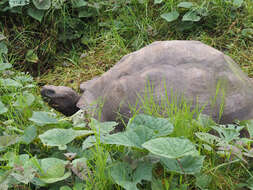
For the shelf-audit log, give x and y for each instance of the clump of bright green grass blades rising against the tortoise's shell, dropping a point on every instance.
(181, 113)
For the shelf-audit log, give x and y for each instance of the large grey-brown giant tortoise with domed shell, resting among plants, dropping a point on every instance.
(200, 74)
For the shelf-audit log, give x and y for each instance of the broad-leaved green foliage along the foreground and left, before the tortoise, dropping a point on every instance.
(132, 159)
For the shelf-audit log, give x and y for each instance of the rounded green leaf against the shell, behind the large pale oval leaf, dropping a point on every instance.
(160, 126)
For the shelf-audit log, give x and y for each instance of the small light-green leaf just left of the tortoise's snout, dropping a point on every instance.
(25, 100)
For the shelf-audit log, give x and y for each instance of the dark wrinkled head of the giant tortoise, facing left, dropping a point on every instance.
(61, 98)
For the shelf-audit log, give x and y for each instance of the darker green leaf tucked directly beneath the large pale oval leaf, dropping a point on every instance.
(186, 165)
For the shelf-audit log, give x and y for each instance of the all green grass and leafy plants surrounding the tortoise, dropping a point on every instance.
(67, 42)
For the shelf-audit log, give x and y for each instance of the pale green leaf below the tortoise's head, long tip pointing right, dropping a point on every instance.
(61, 137)
